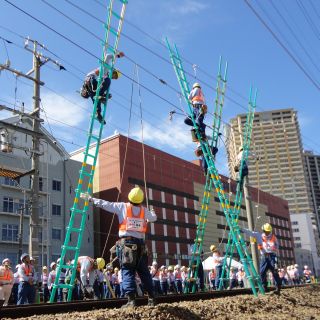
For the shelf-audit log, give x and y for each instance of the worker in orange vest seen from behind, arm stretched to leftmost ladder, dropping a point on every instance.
(133, 218)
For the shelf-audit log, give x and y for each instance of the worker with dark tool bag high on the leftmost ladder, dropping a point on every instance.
(90, 84)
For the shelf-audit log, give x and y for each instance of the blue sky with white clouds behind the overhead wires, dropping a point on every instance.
(202, 30)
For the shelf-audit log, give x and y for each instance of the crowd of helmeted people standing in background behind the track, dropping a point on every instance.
(21, 286)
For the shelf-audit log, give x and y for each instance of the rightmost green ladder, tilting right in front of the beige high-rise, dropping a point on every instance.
(239, 190)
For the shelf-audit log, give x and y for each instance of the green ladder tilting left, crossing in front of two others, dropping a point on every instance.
(245, 258)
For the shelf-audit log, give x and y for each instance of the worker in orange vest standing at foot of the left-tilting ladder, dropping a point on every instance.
(268, 246)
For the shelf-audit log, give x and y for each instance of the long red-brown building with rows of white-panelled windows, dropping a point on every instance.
(171, 184)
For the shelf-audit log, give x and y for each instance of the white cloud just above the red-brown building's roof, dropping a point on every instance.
(172, 135)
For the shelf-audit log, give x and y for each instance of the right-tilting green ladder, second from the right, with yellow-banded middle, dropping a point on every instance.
(191, 285)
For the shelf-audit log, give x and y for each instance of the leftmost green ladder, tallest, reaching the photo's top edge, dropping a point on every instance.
(79, 210)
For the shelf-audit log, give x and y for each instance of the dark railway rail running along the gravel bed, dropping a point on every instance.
(23, 311)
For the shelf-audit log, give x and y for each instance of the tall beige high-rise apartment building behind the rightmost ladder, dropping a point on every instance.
(276, 142)
